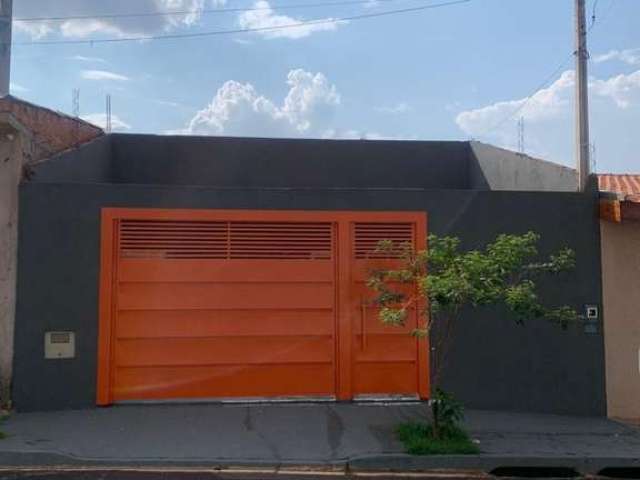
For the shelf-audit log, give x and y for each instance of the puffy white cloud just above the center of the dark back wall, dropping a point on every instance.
(238, 109)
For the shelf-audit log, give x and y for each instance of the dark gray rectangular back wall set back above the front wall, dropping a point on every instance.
(256, 162)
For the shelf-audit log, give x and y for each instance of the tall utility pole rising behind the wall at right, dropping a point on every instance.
(582, 97)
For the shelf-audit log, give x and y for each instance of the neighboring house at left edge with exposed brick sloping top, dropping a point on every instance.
(29, 134)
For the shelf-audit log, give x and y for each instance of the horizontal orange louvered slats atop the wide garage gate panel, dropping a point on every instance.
(225, 240)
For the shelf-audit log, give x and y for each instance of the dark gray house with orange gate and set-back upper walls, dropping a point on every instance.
(178, 267)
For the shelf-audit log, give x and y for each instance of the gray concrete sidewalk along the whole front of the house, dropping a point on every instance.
(360, 436)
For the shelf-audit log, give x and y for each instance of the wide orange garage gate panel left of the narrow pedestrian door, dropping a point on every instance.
(208, 308)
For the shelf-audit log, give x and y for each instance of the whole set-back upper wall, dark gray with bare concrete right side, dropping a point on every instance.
(294, 163)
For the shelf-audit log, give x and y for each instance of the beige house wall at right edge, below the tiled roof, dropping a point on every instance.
(621, 297)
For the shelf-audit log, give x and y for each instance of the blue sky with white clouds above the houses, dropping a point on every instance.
(467, 70)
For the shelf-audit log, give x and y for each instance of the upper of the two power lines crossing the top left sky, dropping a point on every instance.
(202, 11)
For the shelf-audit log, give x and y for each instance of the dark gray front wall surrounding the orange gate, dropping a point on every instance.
(494, 363)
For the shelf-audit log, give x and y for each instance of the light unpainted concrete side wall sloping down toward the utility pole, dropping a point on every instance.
(495, 168)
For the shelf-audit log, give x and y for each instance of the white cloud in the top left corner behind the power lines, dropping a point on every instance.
(117, 26)
